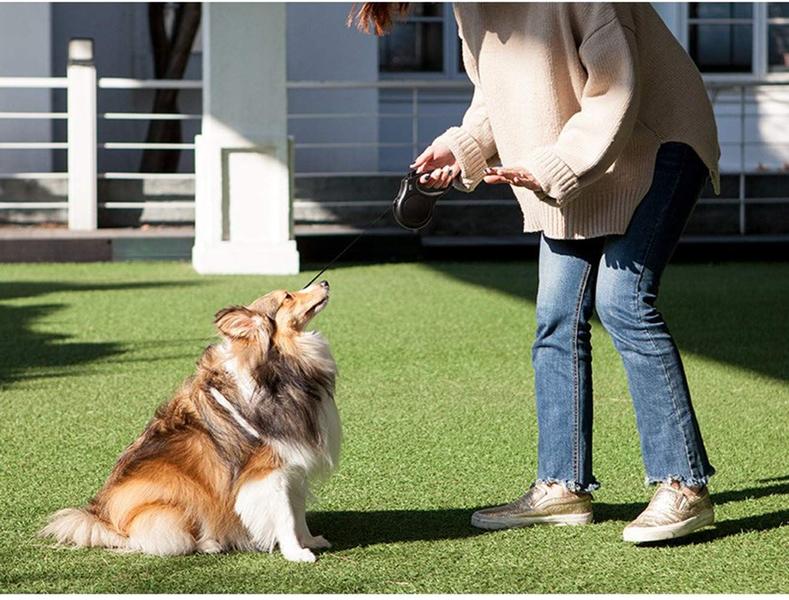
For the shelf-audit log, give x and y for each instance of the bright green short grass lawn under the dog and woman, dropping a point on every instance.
(436, 397)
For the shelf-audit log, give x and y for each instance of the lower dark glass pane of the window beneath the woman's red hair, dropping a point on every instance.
(412, 47)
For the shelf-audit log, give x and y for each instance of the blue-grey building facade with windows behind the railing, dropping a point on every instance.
(361, 106)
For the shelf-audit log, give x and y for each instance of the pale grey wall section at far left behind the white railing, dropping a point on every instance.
(24, 35)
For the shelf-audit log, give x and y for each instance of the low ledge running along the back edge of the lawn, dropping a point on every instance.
(320, 244)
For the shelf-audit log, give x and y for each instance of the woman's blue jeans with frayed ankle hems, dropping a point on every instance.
(618, 277)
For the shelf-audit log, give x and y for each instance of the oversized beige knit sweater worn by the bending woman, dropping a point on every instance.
(581, 95)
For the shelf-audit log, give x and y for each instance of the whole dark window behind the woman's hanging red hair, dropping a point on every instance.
(415, 44)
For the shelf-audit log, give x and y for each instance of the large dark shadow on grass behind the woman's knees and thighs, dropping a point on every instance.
(745, 331)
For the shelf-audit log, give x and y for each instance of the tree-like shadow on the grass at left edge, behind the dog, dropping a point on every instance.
(25, 351)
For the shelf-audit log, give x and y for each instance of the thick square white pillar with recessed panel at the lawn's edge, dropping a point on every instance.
(242, 205)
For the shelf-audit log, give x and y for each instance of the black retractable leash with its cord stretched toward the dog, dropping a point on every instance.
(412, 209)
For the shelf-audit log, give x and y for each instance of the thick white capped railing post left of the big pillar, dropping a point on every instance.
(82, 184)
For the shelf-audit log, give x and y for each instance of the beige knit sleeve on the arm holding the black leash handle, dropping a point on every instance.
(472, 143)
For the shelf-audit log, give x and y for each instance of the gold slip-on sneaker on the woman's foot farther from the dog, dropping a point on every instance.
(670, 514)
